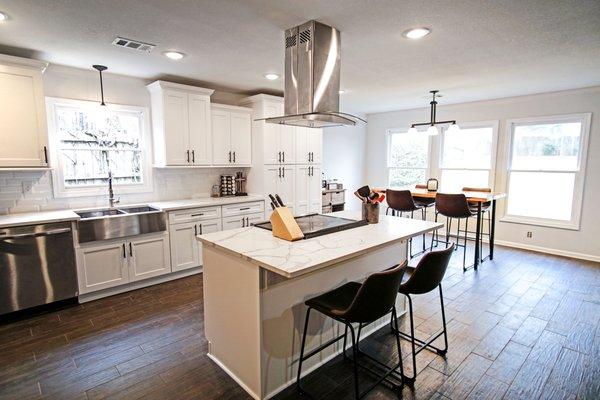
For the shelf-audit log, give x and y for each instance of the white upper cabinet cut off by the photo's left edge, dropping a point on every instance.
(23, 141)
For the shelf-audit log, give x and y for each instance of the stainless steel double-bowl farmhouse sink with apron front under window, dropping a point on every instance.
(120, 222)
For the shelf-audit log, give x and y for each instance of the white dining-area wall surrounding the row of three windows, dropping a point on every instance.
(584, 243)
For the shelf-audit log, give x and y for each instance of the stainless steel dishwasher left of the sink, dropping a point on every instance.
(37, 265)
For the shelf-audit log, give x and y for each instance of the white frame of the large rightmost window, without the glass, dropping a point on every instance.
(580, 172)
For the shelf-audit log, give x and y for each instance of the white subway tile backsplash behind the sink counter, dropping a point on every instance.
(27, 191)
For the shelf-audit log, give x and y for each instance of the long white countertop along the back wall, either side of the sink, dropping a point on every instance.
(42, 217)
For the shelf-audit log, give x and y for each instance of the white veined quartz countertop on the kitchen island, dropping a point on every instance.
(292, 259)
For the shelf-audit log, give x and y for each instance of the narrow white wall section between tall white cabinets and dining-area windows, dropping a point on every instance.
(344, 158)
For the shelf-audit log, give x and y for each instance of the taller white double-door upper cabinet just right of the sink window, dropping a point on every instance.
(181, 124)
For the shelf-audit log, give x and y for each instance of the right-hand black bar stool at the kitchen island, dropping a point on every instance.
(424, 278)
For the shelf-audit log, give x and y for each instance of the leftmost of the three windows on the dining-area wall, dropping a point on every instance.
(408, 156)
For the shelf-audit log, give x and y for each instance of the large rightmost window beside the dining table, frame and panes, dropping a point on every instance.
(546, 170)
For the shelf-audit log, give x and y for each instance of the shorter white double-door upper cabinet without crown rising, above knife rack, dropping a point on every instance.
(231, 135)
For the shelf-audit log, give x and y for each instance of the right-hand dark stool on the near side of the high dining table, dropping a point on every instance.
(454, 206)
